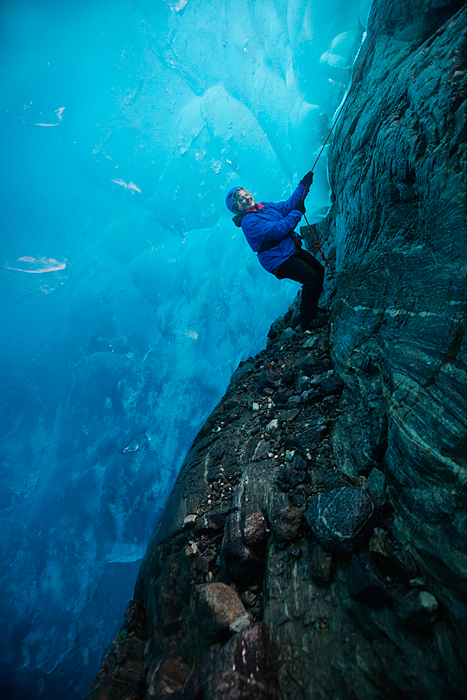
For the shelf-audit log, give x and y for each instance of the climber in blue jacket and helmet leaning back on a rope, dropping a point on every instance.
(269, 230)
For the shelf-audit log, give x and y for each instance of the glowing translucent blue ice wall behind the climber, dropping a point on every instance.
(128, 295)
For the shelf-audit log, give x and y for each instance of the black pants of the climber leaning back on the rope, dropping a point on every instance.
(304, 268)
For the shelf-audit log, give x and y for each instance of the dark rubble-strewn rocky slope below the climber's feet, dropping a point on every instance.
(273, 574)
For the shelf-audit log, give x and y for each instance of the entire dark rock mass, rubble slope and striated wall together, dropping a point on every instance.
(313, 546)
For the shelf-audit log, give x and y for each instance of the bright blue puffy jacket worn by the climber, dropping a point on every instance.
(274, 221)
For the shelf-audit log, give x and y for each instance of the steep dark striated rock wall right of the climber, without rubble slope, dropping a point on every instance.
(398, 171)
